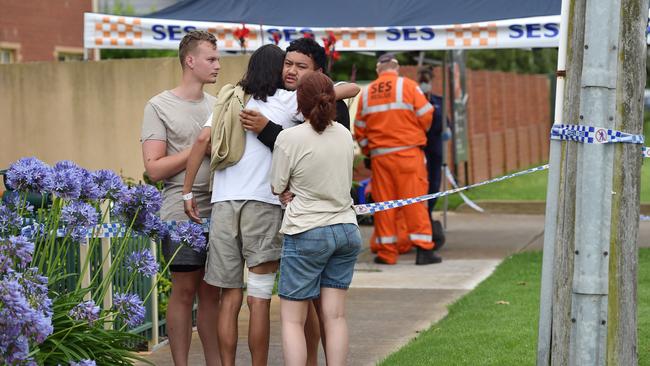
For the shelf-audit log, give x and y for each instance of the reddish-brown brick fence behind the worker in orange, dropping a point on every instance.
(508, 121)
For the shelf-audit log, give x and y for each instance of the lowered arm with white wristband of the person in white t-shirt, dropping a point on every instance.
(193, 164)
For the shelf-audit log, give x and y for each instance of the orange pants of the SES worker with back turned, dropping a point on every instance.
(397, 175)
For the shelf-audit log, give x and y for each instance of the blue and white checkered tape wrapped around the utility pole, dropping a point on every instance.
(592, 135)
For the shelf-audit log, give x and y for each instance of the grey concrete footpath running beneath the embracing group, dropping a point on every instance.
(389, 305)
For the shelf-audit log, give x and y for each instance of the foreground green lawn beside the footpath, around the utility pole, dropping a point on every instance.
(496, 324)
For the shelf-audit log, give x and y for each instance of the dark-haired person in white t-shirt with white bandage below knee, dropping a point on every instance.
(246, 216)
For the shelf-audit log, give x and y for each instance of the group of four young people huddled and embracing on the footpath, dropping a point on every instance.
(269, 161)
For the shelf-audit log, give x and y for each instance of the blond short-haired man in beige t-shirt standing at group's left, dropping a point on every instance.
(172, 121)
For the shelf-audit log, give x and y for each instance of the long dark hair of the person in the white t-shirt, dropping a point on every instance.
(264, 74)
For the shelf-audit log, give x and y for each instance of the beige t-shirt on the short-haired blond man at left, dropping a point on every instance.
(179, 122)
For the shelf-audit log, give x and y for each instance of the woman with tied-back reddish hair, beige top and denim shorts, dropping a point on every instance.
(321, 237)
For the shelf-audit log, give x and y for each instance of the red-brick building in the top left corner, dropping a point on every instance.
(39, 26)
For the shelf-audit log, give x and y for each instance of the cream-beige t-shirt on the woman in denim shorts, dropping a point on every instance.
(317, 168)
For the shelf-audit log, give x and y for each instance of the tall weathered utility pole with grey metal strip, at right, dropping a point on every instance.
(591, 316)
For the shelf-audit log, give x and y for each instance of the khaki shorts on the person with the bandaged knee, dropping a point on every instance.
(241, 231)
